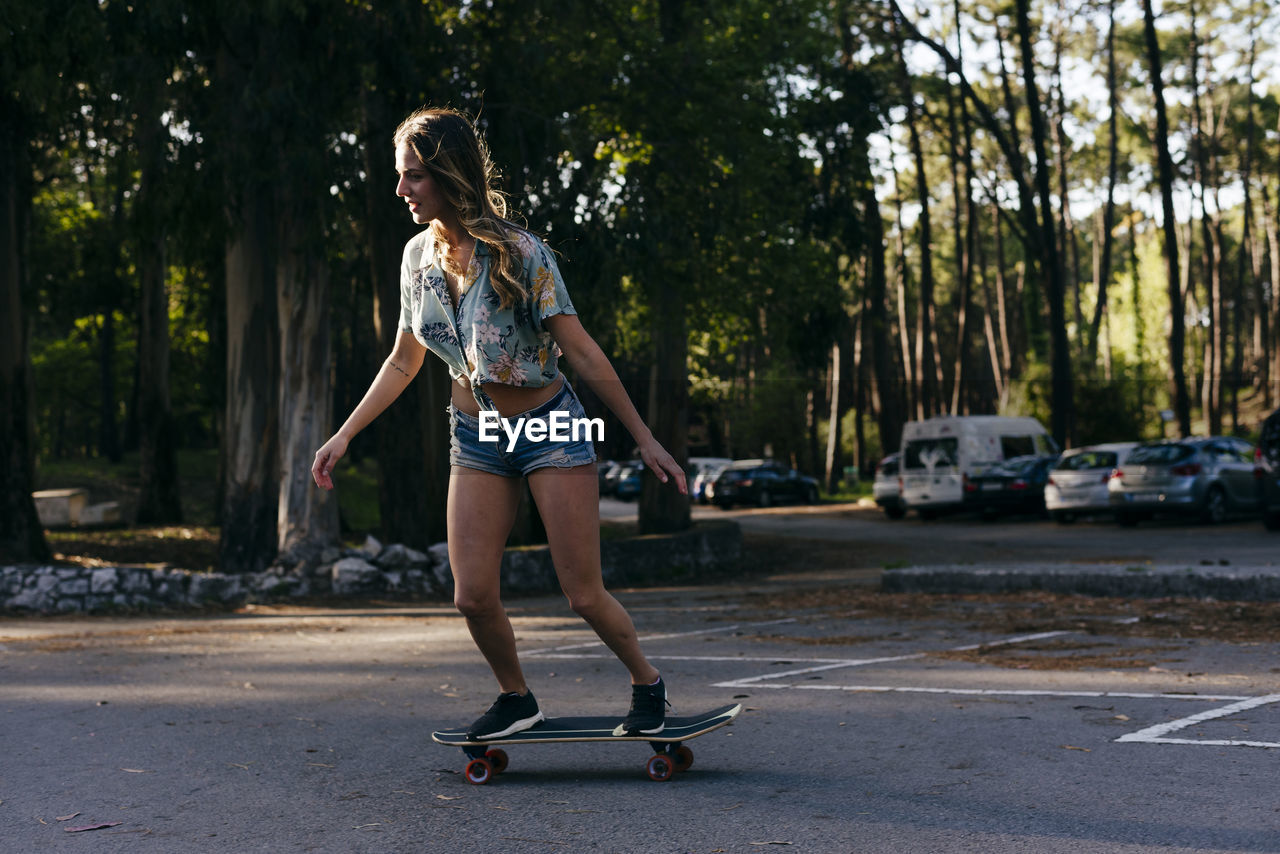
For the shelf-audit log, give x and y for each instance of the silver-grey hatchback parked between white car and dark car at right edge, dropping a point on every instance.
(1210, 478)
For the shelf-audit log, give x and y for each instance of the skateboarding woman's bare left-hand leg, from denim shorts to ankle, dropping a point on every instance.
(481, 514)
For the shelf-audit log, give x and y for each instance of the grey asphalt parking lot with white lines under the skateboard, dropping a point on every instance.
(874, 723)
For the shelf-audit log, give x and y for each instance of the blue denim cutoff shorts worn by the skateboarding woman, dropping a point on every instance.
(560, 450)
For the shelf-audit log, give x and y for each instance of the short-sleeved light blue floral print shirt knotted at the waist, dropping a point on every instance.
(483, 341)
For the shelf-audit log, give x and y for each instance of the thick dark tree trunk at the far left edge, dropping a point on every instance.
(22, 540)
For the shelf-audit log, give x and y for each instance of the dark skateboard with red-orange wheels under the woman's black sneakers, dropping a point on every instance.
(486, 760)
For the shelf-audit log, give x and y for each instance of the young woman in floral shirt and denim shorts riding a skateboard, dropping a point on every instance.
(486, 296)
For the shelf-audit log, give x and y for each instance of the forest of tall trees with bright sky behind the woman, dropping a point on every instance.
(793, 226)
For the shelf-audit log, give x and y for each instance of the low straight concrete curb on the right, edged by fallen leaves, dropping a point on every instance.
(1226, 583)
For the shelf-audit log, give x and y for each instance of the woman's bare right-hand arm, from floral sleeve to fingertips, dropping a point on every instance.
(591, 363)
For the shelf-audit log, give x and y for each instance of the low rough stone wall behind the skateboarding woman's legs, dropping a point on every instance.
(394, 572)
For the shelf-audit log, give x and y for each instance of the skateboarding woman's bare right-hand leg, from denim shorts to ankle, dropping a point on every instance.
(569, 503)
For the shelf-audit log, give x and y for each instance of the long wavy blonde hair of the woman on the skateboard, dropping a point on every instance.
(451, 149)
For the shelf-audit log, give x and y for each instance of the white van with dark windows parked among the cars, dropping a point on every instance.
(941, 454)
